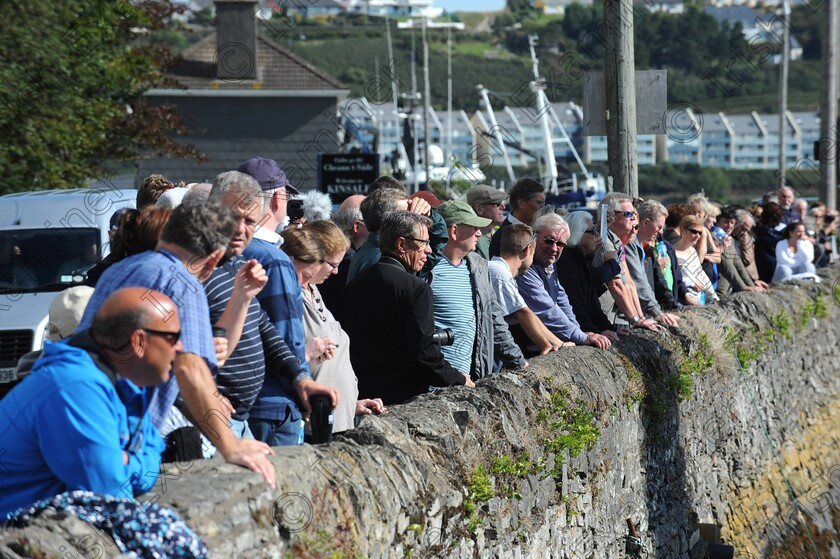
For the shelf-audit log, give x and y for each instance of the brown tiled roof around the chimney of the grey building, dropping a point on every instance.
(277, 68)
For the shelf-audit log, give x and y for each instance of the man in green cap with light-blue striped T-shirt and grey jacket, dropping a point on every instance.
(464, 300)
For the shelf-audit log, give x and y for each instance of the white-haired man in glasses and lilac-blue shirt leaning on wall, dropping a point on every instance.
(541, 289)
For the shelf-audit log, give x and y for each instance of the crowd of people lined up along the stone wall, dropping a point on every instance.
(216, 318)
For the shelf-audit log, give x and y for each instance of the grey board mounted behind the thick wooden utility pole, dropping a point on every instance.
(651, 103)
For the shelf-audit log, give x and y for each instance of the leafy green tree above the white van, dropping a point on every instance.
(71, 85)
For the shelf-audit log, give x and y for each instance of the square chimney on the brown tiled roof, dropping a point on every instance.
(236, 40)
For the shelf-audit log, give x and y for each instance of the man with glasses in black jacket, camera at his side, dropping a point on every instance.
(388, 314)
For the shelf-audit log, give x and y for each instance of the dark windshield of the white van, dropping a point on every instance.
(46, 259)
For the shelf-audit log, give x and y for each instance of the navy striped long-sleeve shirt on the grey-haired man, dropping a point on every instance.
(260, 347)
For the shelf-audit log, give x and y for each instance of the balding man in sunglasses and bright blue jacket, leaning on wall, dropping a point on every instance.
(78, 421)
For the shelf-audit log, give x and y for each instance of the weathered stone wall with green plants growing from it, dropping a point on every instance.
(683, 438)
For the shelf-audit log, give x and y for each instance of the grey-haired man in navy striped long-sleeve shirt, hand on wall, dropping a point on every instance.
(231, 290)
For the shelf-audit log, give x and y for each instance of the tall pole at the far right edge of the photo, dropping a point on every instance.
(828, 112)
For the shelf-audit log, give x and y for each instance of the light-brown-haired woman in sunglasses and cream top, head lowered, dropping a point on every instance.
(317, 249)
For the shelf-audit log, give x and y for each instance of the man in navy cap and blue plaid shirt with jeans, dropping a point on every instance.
(275, 417)
